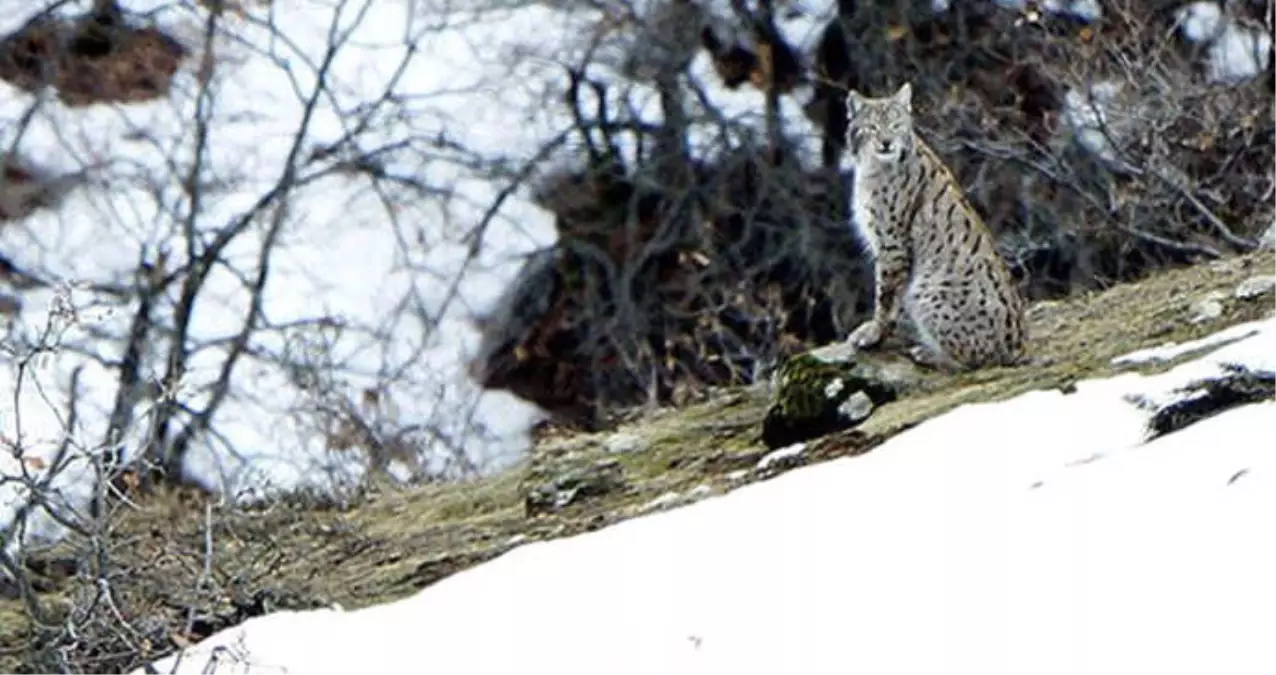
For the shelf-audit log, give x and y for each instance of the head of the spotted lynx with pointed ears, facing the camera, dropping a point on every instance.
(880, 131)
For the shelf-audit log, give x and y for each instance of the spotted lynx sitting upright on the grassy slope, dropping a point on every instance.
(935, 258)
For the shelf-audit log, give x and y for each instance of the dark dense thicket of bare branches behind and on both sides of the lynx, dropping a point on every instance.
(1097, 151)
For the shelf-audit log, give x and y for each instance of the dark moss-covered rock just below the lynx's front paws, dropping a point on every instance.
(831, 390)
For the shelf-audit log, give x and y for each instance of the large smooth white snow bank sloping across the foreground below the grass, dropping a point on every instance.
(1037, 535)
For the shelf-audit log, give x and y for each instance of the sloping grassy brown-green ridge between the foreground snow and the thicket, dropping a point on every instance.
(302, 554)
